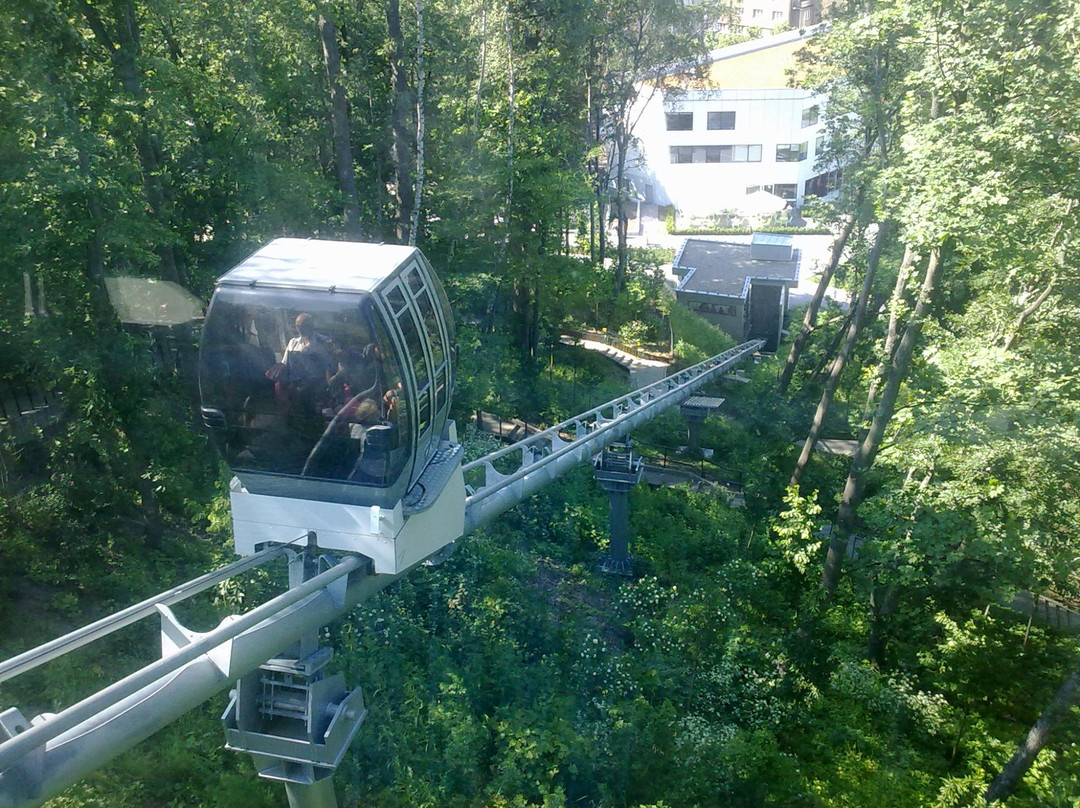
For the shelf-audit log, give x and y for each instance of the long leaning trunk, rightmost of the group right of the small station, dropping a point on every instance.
(869, 449)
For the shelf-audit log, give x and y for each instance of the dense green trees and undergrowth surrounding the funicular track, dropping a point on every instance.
(847, 641)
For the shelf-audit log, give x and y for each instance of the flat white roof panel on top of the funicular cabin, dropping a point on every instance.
(309, 264)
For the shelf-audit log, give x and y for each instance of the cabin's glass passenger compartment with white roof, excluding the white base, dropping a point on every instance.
(327, 370)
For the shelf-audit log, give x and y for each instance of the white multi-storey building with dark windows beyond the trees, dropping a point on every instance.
(705, 146)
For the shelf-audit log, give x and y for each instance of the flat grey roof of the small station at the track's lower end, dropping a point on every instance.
(726, 268)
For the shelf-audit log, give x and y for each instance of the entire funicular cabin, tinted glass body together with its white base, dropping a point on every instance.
(327, 371)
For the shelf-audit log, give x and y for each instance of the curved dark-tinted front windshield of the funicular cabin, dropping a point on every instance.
(305, 385)
